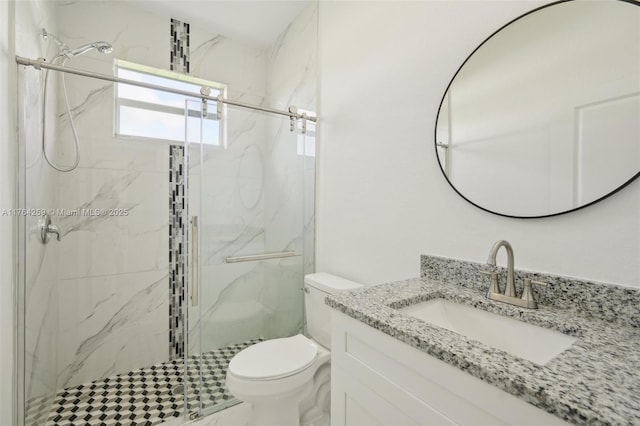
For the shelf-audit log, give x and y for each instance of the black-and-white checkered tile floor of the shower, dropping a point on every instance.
(147, 396)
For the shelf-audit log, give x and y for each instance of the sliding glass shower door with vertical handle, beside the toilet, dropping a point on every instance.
(247, 190)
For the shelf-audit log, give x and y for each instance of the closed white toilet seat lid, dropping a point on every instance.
(275, 358)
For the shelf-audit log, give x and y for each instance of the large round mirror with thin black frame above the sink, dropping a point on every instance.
(543, 118)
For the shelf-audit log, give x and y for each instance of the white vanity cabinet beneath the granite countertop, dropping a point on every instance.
(379, 380)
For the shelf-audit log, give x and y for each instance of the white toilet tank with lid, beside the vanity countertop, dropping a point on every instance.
(318, 314)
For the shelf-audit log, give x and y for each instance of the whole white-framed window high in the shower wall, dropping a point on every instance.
(157, 115)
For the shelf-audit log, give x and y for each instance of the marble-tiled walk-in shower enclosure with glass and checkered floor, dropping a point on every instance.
(172, 255)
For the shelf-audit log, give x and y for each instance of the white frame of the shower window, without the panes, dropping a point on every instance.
(157, 72)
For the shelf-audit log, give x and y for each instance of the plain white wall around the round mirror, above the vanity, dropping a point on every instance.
(382, 200)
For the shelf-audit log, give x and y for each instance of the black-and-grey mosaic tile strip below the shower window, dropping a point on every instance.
(177, 252)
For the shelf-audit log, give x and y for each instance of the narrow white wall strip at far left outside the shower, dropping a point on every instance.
(7, 160)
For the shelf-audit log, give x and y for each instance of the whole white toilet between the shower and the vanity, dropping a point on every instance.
(286, 380)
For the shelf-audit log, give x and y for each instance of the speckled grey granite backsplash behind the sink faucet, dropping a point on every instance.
(605, 301)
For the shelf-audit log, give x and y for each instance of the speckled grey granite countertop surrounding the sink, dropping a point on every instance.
(595, 381)
